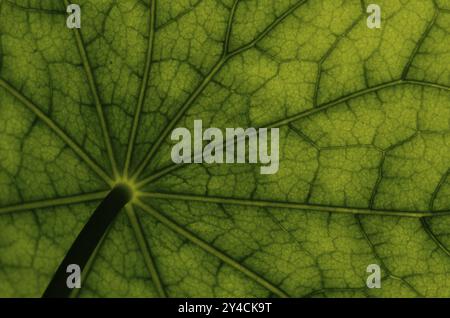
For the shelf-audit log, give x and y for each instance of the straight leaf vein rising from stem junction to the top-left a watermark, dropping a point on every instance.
(94, 91)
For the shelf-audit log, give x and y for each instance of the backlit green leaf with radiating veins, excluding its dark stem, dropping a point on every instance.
(364, 146)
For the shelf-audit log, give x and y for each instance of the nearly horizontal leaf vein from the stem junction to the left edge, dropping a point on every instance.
(69, 200)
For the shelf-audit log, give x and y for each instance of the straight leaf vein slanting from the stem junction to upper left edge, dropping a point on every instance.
(57, 130)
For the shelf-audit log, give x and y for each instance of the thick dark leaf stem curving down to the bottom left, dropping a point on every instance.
(88, 239)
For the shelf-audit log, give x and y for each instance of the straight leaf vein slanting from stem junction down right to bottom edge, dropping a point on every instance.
(212, 250)
